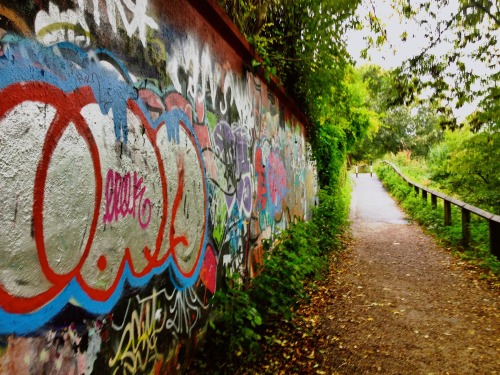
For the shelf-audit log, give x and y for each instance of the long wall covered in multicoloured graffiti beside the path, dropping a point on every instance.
(140, 161)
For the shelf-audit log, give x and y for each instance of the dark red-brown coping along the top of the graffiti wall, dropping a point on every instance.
(220, 21)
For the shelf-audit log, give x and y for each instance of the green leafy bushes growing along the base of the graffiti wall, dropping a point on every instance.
(243, 312)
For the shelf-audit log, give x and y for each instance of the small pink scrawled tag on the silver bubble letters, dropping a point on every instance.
(123, 197)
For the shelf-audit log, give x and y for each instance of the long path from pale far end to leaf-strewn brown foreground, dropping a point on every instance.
(402, 305)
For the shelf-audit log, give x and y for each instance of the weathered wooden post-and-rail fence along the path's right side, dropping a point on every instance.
(467, 209)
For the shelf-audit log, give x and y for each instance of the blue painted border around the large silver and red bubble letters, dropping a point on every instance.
(17, 65)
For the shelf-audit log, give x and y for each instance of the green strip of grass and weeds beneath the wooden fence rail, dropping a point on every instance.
(433, 219)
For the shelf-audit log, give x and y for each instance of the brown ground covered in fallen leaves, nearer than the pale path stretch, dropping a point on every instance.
(404, 309)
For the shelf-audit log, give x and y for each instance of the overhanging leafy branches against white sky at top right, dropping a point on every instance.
(460, 63)
